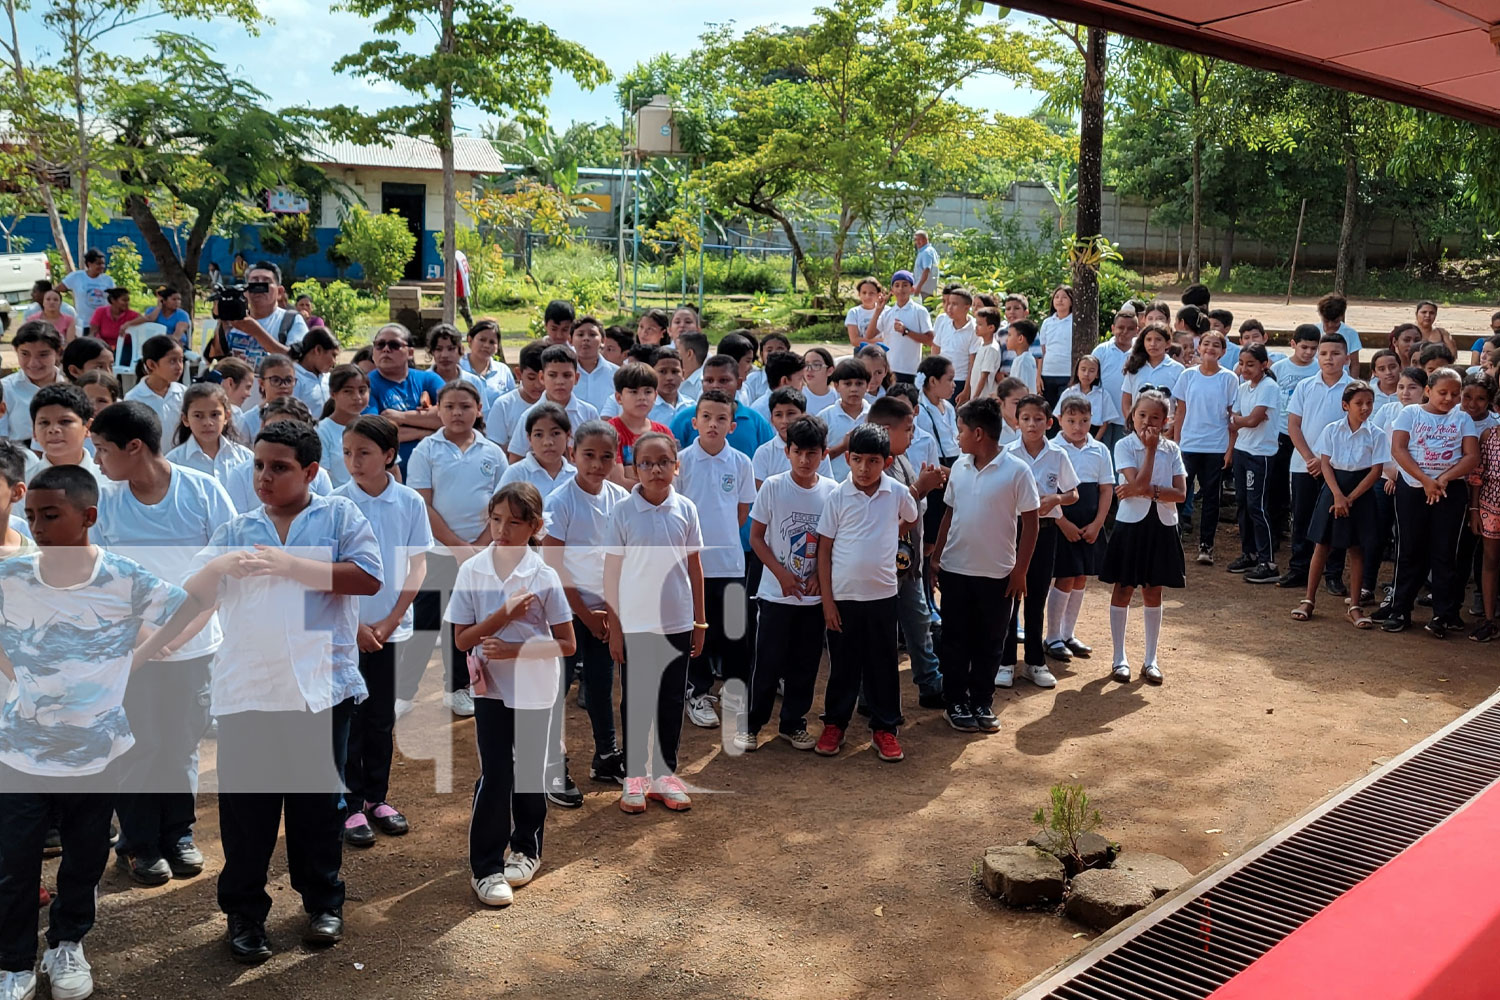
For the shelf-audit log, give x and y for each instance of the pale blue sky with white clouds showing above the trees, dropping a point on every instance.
(290, 61)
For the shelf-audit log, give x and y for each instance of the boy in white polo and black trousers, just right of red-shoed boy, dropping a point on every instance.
(982, 557)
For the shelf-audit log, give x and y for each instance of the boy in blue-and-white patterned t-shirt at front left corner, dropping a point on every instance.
(70, 618)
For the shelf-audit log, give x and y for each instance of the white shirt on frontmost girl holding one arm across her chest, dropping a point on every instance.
(526, 681)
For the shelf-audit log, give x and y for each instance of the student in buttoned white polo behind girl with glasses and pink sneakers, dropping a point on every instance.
(721, 482)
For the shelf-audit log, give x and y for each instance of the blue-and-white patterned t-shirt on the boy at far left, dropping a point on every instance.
(71, 650)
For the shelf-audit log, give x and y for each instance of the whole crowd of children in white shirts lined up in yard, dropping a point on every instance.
(629, 501)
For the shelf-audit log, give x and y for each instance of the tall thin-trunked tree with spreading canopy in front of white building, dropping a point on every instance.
(479, 53)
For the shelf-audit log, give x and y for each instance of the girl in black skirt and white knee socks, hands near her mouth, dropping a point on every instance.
(1145, 549)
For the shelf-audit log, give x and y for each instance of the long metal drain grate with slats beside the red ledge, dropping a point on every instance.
(1205, 936)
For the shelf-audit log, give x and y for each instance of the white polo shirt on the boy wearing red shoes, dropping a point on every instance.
(865, 531)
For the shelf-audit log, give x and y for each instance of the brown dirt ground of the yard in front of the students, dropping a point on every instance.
(802, 876)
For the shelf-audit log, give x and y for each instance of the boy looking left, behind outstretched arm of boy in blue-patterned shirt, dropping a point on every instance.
(160, 515)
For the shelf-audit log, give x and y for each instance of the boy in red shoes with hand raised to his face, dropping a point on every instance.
(857, 548)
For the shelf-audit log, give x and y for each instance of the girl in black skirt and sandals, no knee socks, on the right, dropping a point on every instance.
(1346, 516)
